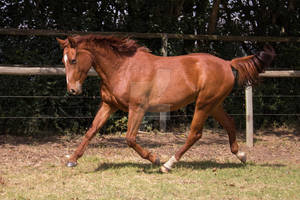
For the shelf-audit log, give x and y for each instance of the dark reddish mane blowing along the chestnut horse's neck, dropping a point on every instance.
(121, 46)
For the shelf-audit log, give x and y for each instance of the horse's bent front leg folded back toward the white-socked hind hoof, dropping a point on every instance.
(135, 117)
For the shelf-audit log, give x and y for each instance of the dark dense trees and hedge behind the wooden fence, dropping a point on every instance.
(46, 112)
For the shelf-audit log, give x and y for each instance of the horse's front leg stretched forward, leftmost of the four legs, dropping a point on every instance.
(101, 117)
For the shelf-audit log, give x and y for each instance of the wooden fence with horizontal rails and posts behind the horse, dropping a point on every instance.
(47, 70)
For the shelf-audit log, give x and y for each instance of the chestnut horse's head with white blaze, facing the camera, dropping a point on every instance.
(77, 64)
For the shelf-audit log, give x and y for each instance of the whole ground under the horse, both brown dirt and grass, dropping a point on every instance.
(34, 169)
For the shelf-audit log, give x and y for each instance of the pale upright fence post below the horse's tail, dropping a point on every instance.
(249, 116)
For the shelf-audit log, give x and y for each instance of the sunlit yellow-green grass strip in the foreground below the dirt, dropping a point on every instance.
(100, 178)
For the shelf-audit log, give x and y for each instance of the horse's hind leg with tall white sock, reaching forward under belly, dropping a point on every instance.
(195, 134)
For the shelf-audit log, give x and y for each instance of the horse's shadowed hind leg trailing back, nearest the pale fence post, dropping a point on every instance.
(227, 122)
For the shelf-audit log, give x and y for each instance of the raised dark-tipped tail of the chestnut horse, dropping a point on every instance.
(249, 67)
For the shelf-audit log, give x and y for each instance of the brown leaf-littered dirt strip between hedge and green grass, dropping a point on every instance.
(270, 147)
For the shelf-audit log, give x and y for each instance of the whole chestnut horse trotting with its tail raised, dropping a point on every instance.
(136, 81)
